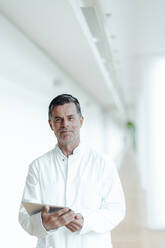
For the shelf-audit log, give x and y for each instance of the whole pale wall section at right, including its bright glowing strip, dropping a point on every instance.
(151, 139)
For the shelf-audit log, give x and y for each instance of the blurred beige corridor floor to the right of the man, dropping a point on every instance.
(131, 233)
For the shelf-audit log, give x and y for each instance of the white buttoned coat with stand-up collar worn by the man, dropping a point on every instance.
(86, 182)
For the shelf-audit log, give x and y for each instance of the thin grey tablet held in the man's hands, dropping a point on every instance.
(34, 208)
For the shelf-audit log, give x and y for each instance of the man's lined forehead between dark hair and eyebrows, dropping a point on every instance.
(65, 109)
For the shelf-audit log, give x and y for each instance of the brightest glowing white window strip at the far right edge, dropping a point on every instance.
(156, 201)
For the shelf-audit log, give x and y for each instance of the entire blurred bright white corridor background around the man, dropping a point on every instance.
(111, 56)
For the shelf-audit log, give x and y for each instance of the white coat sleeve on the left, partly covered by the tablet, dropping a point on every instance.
(32, 224)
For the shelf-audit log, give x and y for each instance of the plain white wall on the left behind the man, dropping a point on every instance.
(27, 86)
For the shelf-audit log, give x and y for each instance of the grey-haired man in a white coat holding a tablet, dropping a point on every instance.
(74, 176)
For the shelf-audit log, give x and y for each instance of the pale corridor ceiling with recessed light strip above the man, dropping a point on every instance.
(98, 43)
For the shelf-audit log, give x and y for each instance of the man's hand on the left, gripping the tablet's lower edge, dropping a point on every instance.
(57, 219)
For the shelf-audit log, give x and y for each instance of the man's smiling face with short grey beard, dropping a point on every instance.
(66, 123)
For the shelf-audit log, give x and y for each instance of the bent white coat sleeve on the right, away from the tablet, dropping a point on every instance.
(112, 209)
